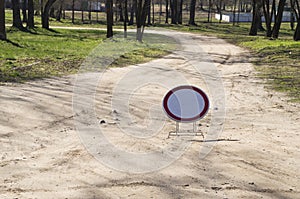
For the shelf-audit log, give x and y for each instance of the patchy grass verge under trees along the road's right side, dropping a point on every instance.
(278, 61)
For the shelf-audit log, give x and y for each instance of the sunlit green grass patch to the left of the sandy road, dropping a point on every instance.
(43, 53)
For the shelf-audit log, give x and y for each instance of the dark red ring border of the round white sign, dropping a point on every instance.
(193, 119)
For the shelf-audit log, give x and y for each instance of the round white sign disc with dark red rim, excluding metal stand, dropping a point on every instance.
(186, 103)
